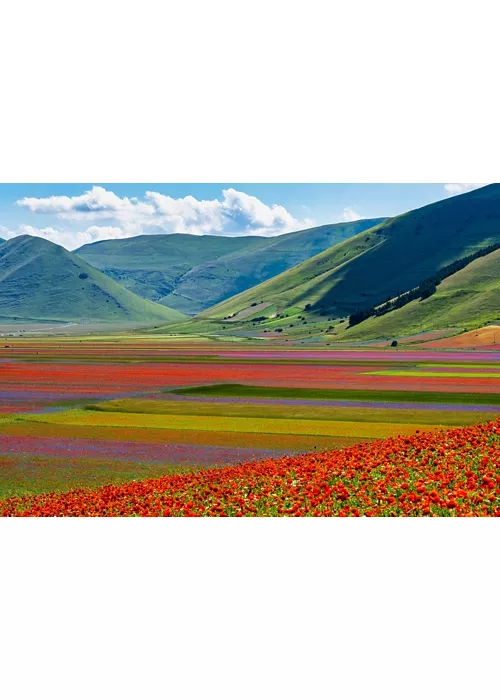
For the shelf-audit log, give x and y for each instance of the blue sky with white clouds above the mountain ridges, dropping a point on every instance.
(74, 214)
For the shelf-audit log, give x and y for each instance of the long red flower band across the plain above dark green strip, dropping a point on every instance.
(116, 379)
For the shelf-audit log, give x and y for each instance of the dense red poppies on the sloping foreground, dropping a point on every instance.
(452, 473)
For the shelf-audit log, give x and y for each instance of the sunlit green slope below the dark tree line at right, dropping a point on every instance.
(468, 299)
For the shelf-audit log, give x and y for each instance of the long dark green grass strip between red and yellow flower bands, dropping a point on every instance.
(341, 394)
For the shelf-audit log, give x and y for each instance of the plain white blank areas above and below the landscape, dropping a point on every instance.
(248, 92)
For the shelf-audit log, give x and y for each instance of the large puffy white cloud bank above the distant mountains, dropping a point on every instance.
(236, 213)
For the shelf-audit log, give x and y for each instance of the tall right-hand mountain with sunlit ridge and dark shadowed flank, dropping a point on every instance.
(379, 263)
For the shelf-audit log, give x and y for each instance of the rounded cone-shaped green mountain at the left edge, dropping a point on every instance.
(40, 280)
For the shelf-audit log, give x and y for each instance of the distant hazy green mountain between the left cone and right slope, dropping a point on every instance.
(192, 273)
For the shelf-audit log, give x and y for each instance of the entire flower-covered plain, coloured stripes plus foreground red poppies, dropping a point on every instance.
(143, 427)
